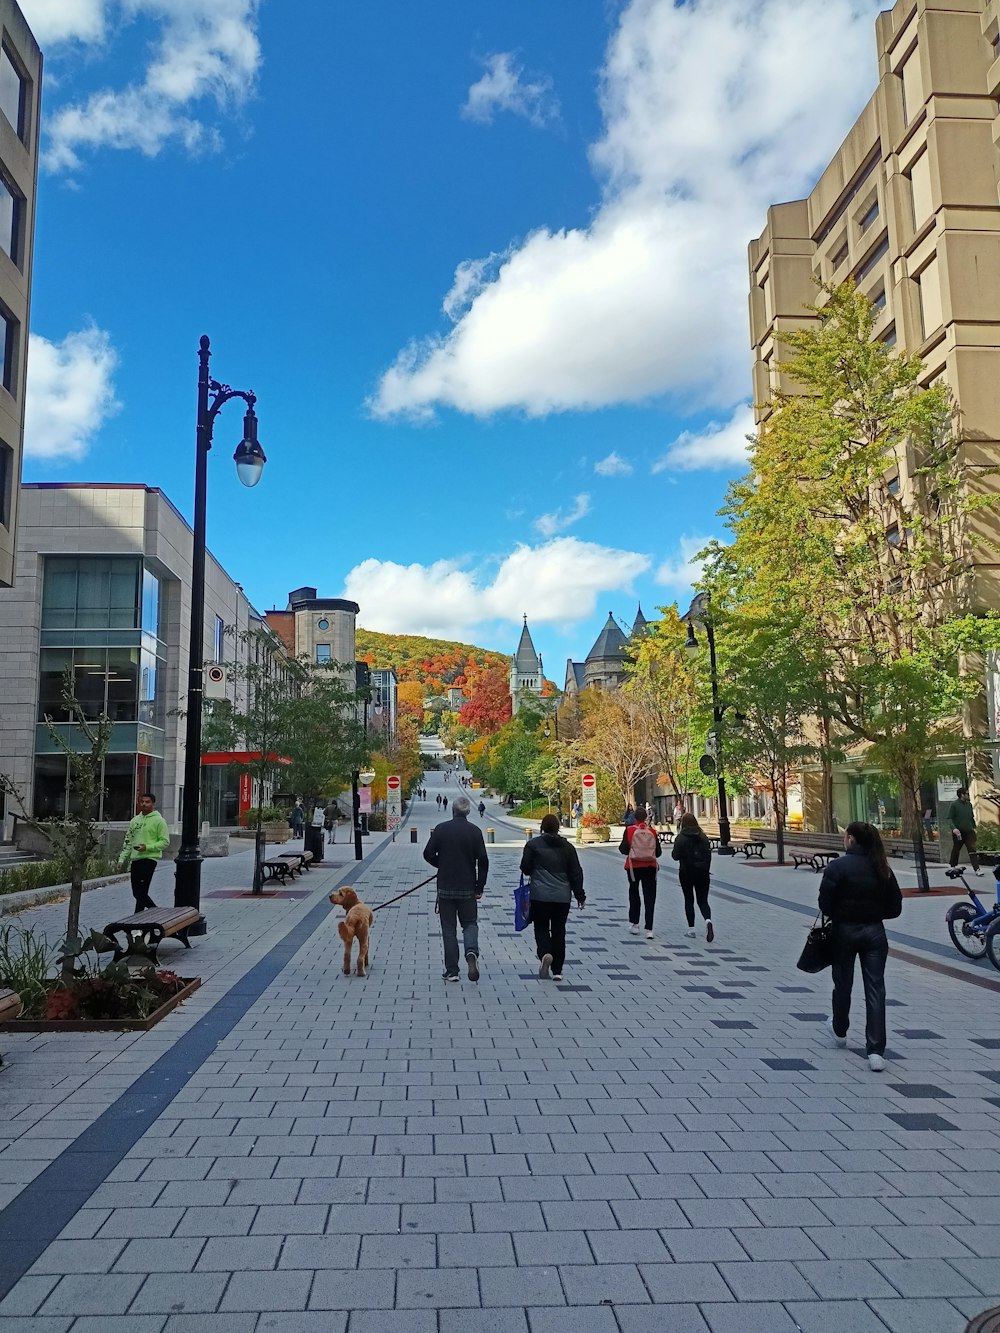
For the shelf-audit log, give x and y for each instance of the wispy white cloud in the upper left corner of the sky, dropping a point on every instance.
(207, 54)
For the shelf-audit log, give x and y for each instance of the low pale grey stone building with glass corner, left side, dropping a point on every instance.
(103, 590)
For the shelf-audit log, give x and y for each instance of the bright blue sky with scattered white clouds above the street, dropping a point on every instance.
(485, 267)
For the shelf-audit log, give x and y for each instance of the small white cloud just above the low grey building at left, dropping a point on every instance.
(71, 394)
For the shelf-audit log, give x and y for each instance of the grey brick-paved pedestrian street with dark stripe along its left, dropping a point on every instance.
(662, 1143)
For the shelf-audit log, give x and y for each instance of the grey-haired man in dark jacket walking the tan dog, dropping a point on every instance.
(459, 854)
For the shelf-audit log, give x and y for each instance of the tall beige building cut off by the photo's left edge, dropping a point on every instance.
(21, 99)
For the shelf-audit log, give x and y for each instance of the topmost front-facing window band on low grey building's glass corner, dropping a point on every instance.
(91, 593)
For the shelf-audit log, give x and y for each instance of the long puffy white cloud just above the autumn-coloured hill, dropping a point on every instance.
(555, 583)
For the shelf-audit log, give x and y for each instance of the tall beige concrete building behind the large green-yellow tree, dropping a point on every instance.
(909, 209)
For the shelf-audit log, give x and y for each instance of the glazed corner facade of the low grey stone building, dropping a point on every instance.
(101, 625)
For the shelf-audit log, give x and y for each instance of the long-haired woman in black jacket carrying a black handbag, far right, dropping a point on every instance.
(858, 894)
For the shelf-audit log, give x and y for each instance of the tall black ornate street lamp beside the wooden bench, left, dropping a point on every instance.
(250, 461)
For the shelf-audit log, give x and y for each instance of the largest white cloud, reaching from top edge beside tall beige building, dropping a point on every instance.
(711, 114)
